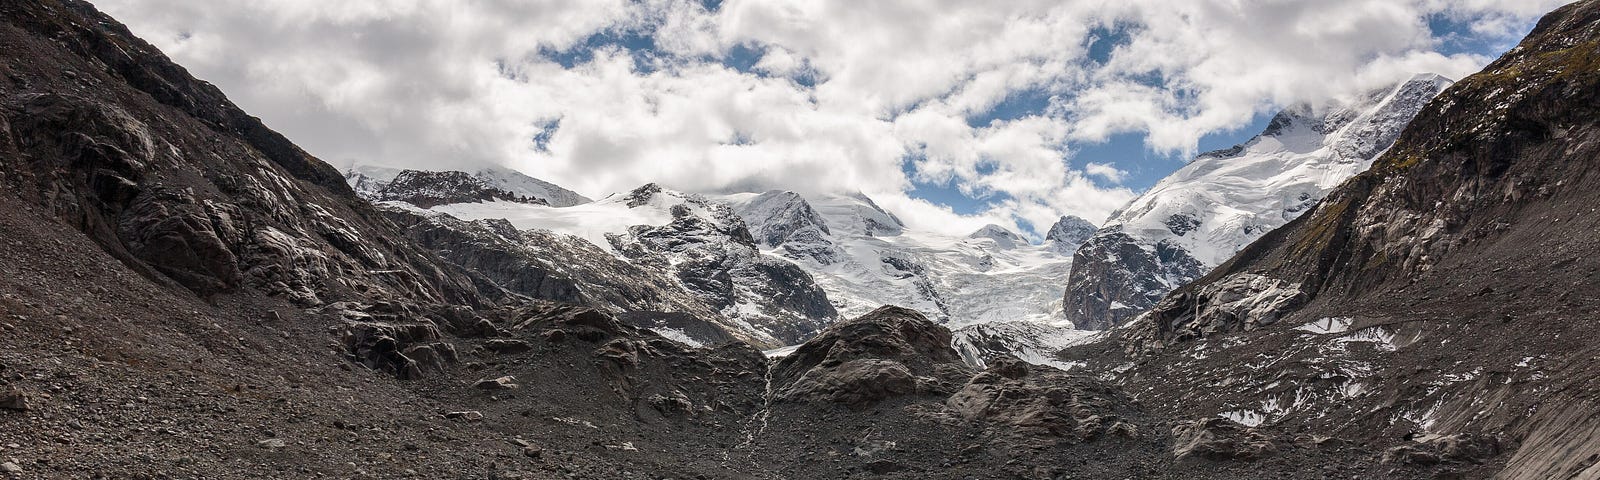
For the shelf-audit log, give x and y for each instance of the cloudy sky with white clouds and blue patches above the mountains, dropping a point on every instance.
(953, 114)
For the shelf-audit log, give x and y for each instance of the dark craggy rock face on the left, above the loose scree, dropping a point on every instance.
(175, 182)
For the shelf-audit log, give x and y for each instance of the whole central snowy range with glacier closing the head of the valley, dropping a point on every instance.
(770, 268)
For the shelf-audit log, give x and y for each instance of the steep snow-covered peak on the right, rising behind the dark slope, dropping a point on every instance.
(1209, 210)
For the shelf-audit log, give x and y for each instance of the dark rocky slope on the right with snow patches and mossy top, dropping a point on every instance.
(1439, 306)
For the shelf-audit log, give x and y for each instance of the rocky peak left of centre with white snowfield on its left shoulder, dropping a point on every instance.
(703, 246)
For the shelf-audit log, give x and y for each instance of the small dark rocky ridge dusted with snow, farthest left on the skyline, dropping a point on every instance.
(439, 188)
